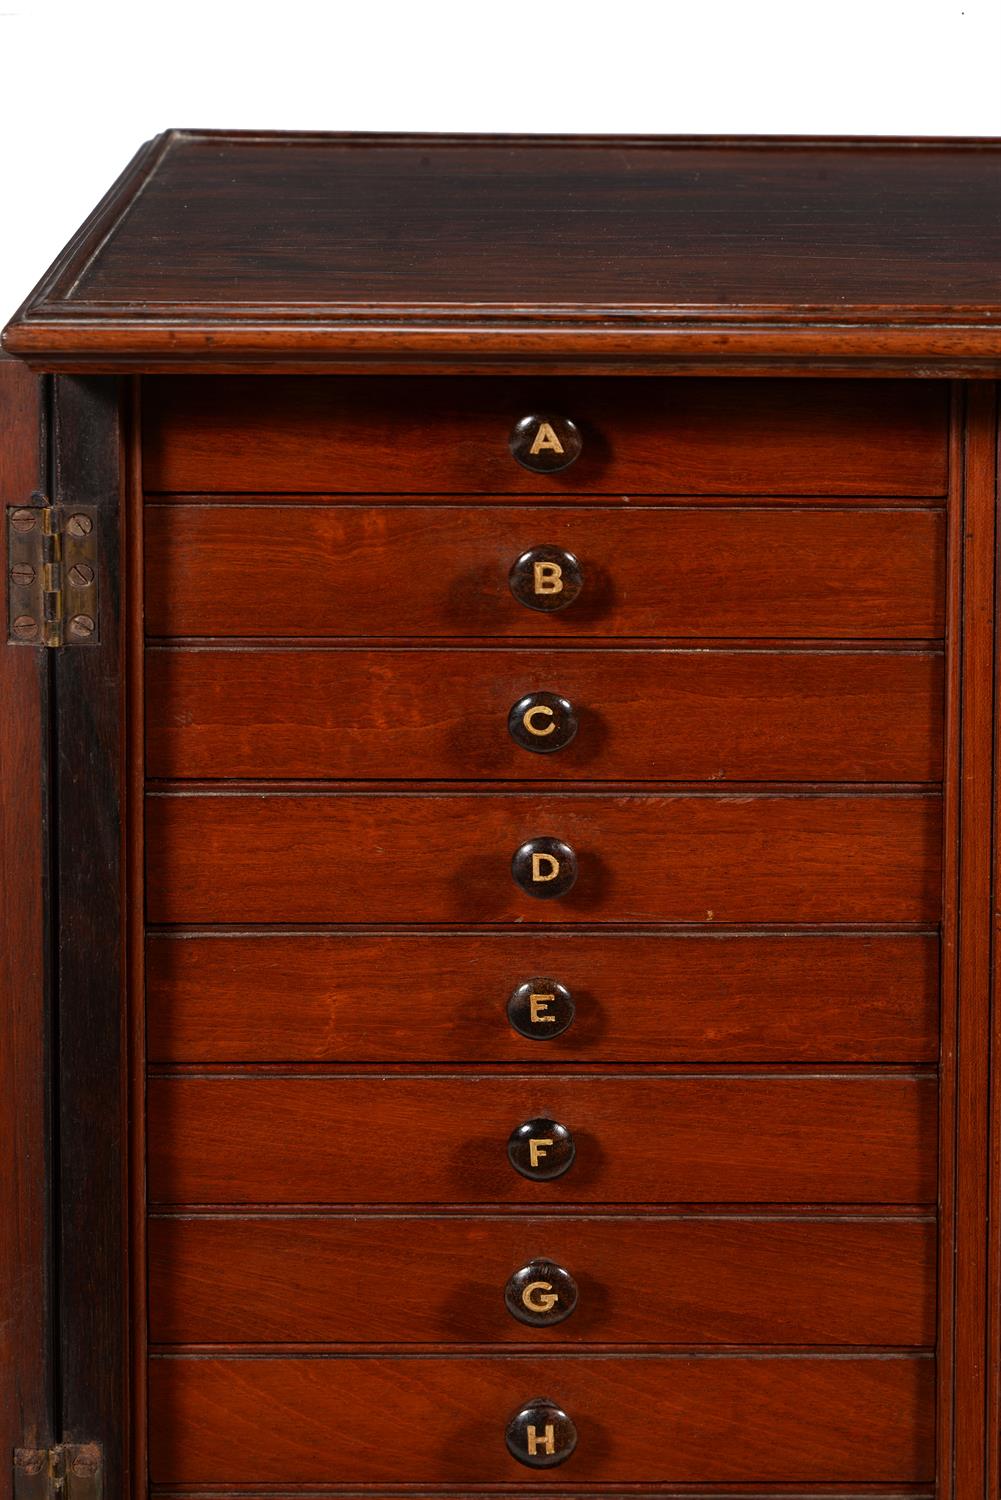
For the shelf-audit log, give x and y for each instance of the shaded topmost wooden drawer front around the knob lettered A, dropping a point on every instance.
(648, 437)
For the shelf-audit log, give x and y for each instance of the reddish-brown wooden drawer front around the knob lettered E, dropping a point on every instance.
(646, 998)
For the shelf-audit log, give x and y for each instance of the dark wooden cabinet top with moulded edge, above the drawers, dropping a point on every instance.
(247, 251)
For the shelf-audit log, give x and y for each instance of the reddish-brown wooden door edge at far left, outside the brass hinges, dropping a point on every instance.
(26, 1310)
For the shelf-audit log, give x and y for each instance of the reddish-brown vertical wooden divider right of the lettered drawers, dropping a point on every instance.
(967, 953)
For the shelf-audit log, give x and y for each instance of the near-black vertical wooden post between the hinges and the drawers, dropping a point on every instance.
(89, 791)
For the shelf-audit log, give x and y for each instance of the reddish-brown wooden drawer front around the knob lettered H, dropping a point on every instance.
(427, 1421)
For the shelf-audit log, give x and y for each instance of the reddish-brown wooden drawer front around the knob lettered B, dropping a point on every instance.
(443, 572)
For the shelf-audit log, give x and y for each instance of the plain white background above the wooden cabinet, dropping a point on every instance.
(83, 85)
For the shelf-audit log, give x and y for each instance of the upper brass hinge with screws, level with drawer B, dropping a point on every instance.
(52, 574)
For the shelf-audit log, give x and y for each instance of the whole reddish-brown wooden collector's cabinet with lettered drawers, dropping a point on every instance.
(500, 824)
